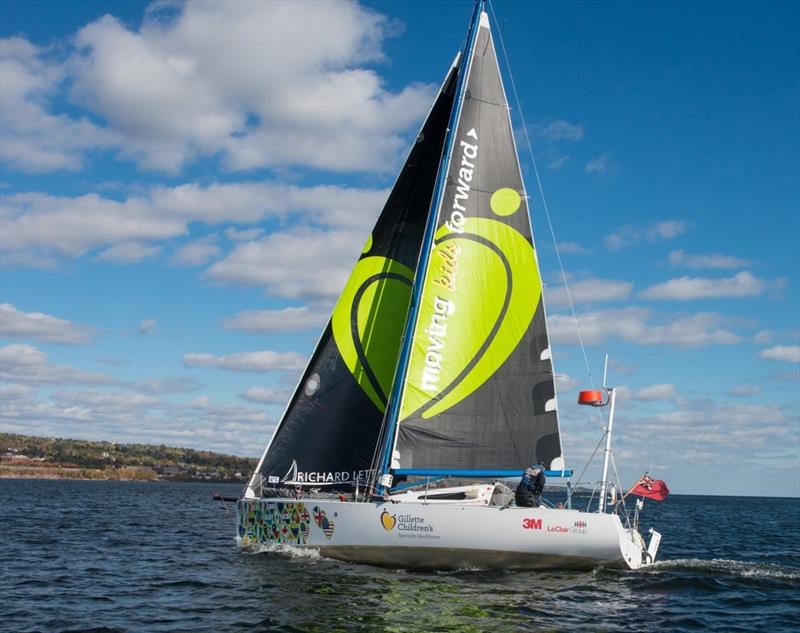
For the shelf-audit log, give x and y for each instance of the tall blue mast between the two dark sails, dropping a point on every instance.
(436, 201)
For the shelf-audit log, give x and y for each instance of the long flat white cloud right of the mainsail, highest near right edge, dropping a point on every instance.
(742, 284)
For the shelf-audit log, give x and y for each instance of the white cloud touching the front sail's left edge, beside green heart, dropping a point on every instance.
(273, 262)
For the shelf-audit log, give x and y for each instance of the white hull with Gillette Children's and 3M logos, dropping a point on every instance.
(442, 536)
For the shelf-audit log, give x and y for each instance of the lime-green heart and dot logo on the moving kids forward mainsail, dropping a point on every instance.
(481, 291)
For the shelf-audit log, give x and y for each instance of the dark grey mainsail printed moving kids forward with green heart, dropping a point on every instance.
(478, 393)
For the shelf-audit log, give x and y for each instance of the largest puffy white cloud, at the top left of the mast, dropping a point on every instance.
(299, 92)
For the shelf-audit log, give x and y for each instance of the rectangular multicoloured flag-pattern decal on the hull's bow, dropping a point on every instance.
(270, 522)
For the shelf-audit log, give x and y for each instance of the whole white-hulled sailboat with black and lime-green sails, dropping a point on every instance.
(436, 365)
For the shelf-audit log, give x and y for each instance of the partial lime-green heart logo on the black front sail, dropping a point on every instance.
(368, 323)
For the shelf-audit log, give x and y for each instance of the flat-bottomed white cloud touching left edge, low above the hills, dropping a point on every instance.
(26, 364)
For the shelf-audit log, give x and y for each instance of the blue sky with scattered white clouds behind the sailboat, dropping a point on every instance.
(185, 188)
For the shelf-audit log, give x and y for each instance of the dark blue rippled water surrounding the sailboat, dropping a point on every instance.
(124, 556)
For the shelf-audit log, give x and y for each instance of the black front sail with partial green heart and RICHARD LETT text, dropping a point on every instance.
(330, 429)
